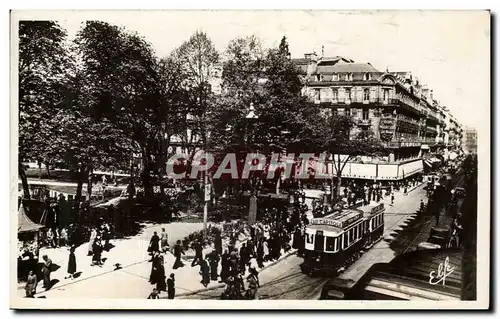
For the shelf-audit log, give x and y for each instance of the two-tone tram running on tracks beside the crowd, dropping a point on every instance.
(335, 241)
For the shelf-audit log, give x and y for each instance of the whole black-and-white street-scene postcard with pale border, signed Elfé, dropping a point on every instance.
(250, 159)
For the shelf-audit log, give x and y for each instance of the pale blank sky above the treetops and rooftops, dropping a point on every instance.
(447, 50)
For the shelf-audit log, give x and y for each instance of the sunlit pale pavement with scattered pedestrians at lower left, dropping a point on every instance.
(131, 281)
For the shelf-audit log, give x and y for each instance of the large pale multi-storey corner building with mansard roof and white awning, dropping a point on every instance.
(400, 112)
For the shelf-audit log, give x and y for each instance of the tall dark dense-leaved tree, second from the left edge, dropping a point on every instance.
(123, 85)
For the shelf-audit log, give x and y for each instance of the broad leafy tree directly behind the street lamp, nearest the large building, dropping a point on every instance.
(269, 81)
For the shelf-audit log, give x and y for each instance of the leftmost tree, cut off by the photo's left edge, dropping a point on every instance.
(43, 65)
